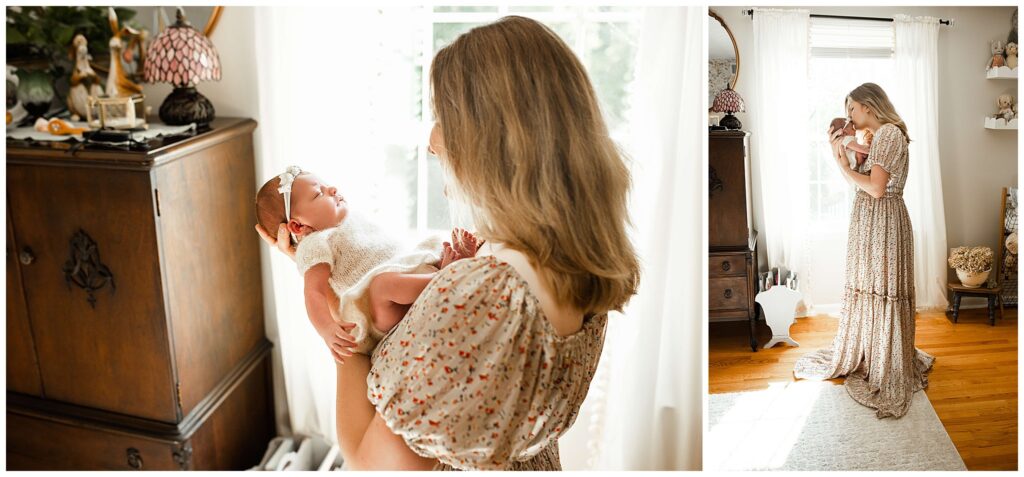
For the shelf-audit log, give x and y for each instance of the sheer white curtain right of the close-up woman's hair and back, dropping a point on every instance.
(644, 410)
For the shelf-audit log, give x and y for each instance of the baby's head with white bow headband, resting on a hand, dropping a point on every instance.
(314, 205)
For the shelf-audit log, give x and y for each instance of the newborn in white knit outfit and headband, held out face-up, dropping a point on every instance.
(357, 277)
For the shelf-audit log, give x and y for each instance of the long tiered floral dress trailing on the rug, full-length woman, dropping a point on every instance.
(874, 346)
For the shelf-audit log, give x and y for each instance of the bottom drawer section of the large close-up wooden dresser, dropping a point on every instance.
(230, 435)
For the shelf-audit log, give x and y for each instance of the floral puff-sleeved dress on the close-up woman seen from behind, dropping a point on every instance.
(477, 377)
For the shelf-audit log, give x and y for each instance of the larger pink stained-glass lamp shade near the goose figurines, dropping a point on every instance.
(183, 57)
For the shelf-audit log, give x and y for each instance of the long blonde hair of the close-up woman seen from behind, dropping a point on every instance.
(530, 154)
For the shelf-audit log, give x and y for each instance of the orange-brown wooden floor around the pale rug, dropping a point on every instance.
(973, 385)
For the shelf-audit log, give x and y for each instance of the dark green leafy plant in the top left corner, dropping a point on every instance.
(47, 32)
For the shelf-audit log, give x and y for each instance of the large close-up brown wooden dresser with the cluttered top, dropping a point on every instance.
(135, 306)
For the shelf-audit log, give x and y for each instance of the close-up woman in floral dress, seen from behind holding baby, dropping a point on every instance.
(493, 362)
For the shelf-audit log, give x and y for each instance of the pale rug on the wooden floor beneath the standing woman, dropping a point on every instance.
(814, 425)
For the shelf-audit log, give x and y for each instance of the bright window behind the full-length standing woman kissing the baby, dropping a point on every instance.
(844, 55)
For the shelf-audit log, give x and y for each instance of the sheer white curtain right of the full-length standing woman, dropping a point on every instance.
(916, 97)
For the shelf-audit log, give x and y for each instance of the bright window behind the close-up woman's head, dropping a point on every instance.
(605, 39)
